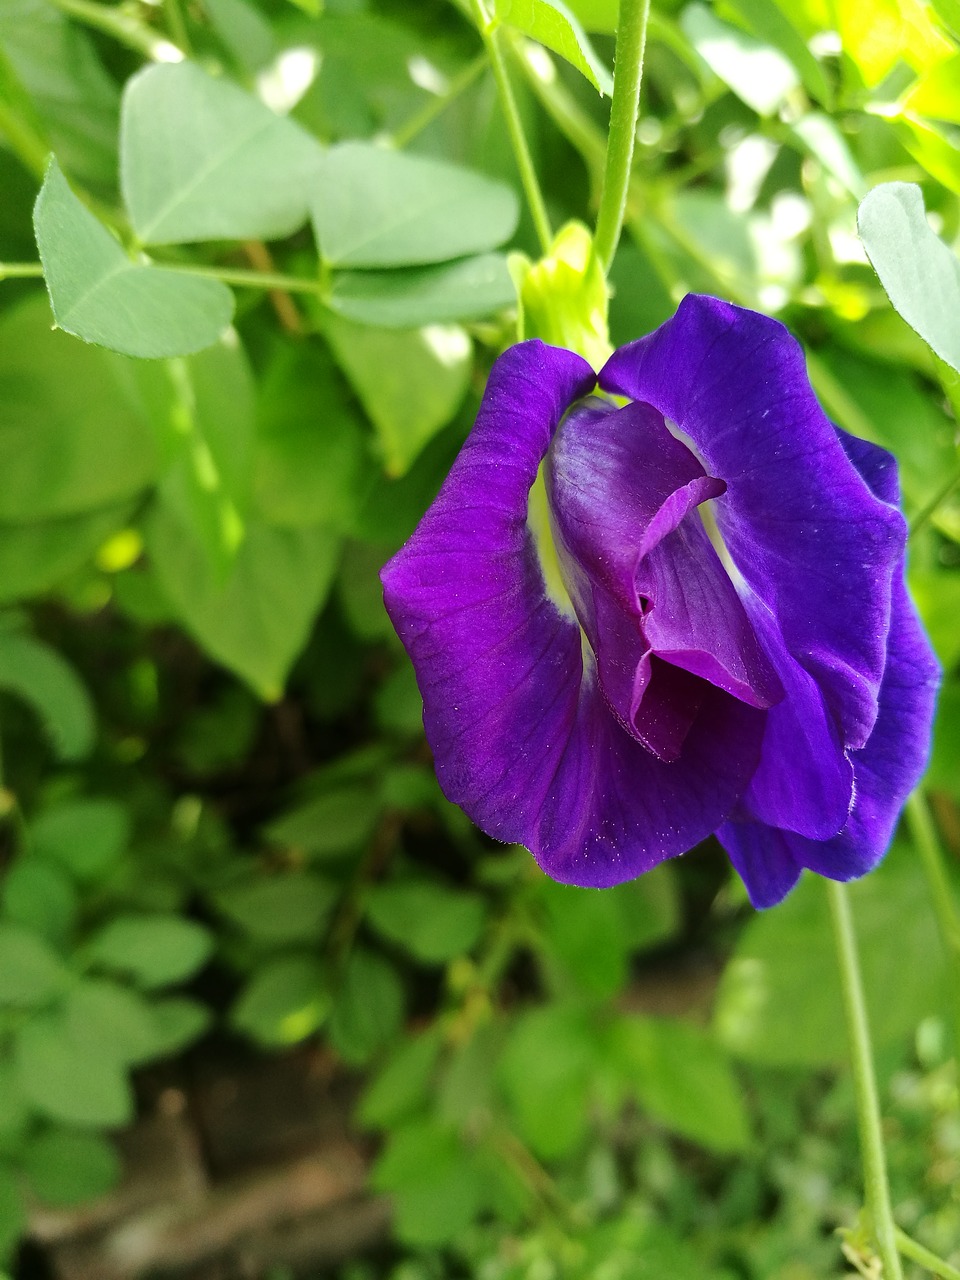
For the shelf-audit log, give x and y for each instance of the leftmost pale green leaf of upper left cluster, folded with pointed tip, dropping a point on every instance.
(99, 295)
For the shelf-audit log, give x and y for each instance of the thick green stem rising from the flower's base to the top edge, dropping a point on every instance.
(628, 74)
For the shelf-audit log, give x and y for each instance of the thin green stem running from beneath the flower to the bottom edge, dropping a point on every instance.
(875, 1165)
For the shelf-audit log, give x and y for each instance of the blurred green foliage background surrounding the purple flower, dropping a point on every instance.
(269, 1007)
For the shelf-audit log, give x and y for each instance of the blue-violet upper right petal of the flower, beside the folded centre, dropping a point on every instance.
(803, 529)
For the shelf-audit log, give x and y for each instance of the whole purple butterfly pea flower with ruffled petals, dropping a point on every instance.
(670, 609)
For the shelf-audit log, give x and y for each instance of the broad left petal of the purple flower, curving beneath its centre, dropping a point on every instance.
(522, 737)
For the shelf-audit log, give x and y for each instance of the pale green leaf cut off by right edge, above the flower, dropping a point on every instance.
(918, 272)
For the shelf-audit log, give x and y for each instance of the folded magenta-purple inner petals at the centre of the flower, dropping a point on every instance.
(650, 591)
